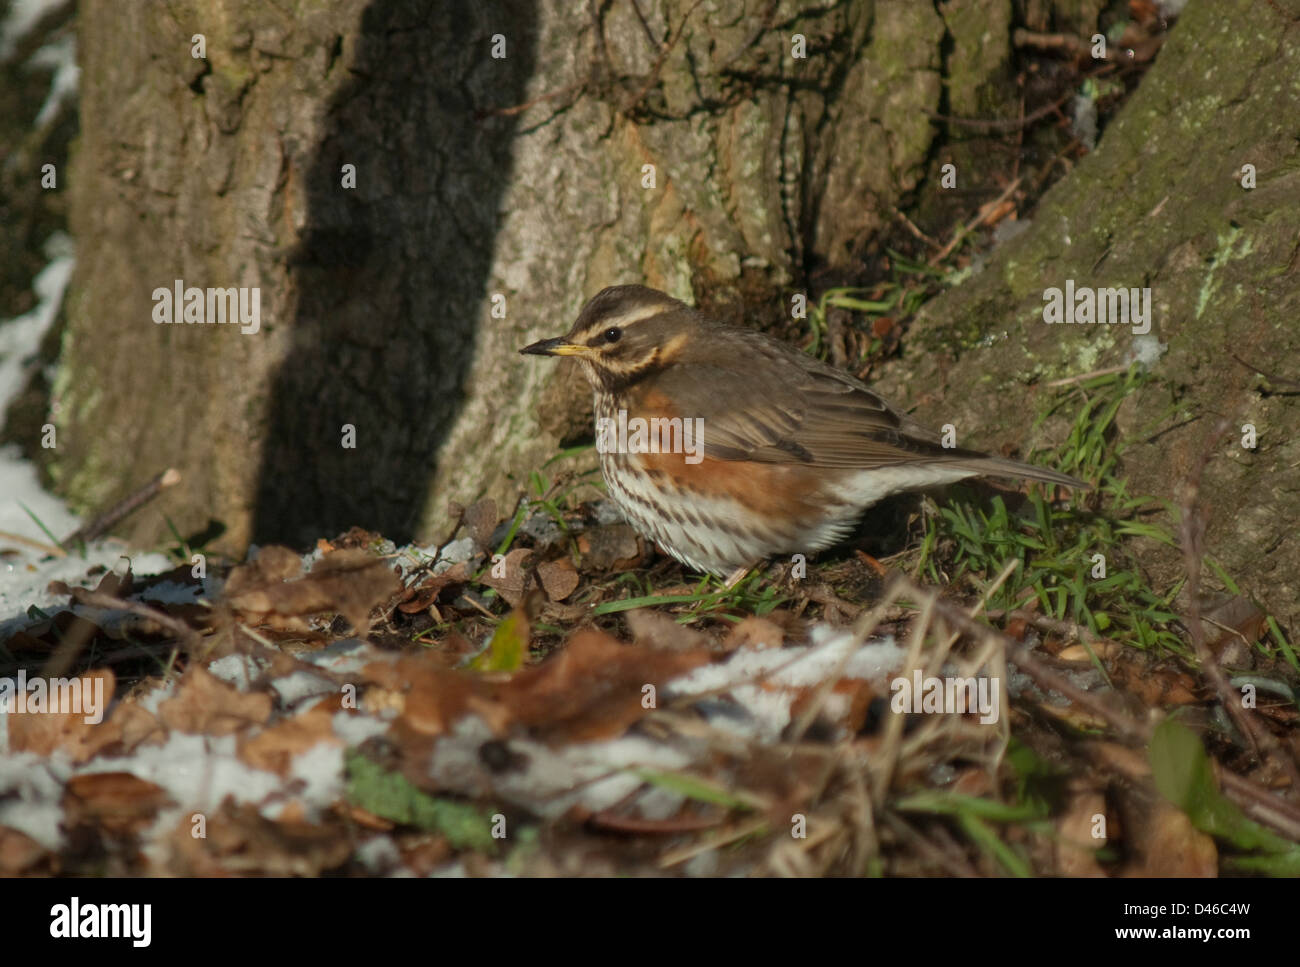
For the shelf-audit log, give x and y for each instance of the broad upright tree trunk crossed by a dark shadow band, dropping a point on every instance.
(378, 301)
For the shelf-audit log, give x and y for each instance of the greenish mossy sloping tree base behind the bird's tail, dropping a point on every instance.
(1160, 205)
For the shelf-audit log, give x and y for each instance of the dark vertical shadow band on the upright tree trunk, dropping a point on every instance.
(392, 275)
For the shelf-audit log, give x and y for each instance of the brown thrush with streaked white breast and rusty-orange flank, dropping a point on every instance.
(792, 452)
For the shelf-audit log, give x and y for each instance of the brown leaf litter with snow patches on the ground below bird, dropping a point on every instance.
(548, 697)
